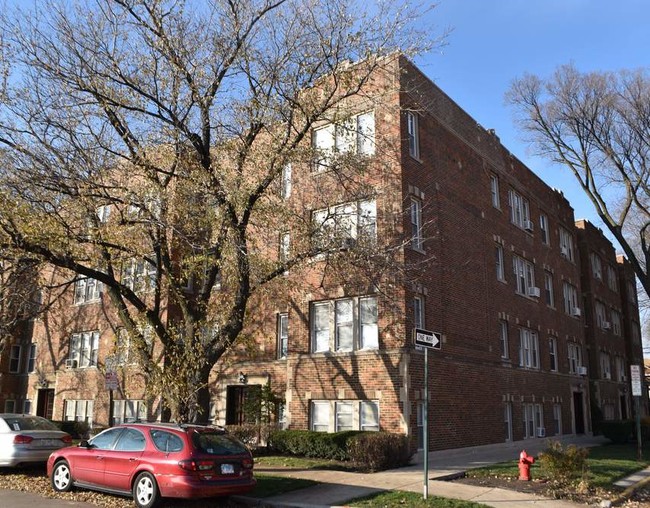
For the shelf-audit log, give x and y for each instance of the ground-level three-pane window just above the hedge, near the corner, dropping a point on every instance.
(341, 415)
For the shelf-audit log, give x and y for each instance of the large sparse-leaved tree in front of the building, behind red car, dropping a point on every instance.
(180, 118)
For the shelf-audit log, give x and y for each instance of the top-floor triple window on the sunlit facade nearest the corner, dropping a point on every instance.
(355, 135)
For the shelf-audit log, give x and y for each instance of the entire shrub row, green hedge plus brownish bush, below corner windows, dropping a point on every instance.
(369, 451)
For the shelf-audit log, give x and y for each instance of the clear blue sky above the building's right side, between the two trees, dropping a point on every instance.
(496, 41)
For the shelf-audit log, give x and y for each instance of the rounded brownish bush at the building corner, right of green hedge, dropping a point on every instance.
(376, 451)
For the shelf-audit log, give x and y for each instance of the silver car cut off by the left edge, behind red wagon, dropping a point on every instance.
(28, 439)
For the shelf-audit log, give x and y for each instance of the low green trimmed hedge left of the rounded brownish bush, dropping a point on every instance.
(307, 443)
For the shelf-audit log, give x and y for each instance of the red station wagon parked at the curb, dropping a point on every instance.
(149, 461)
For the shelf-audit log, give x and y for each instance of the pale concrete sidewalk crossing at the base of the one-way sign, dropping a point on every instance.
(338, 487)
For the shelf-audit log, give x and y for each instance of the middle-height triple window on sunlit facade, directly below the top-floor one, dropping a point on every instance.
(343, 225)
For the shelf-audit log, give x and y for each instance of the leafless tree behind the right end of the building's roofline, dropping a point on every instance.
(597, 125)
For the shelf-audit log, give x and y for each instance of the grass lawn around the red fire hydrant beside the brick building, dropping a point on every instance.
(607, 464)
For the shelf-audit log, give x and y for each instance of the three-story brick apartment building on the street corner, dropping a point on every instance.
(538, 316)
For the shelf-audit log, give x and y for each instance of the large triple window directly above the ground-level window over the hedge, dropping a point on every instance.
(345, 324)
